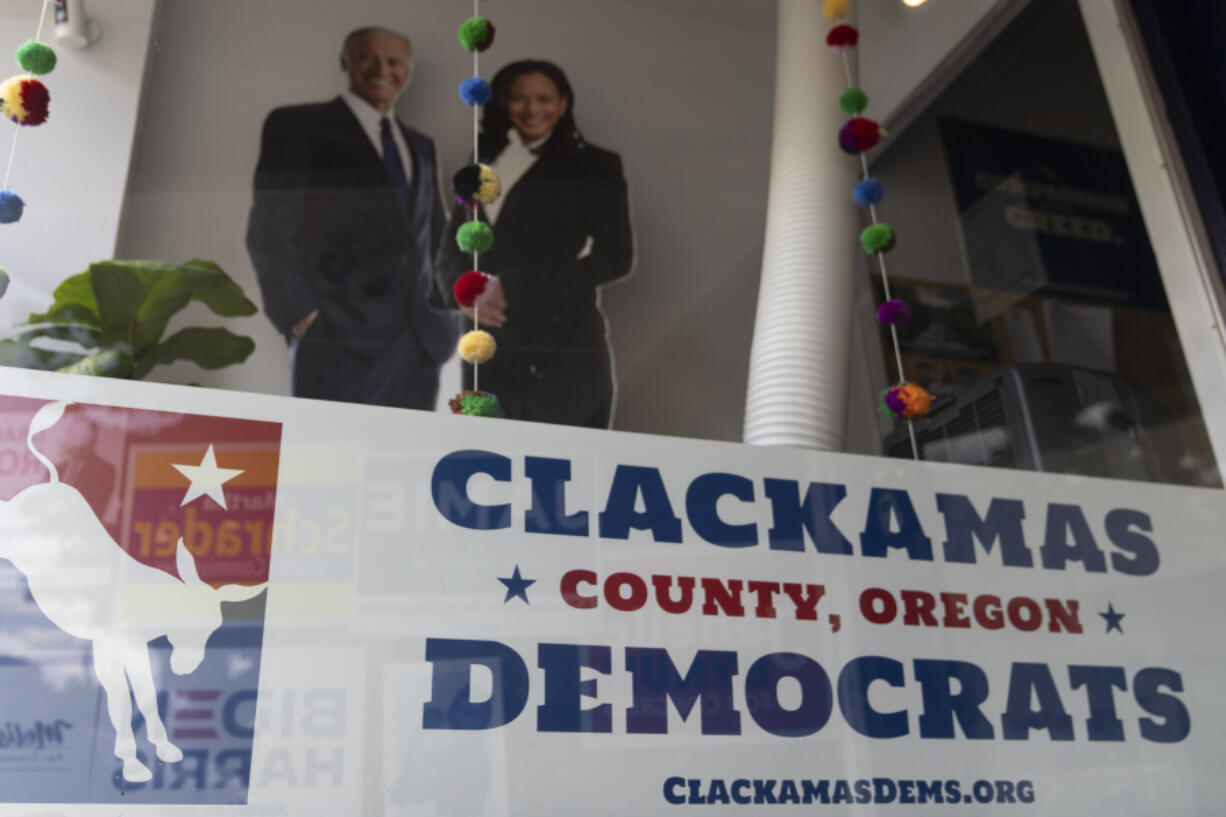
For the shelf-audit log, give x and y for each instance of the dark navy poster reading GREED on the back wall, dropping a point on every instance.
(1049, 217)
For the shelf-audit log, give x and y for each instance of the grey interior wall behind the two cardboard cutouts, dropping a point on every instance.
(681, 90)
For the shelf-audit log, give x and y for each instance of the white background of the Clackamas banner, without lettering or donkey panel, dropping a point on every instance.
(365, 570)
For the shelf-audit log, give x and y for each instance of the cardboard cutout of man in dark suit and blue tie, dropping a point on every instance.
(345, 226)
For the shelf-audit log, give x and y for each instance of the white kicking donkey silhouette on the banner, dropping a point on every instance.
(48, 528)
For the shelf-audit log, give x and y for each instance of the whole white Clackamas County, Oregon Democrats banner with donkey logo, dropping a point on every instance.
(257, 605)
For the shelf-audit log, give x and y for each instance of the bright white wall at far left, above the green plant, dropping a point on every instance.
(73, 170)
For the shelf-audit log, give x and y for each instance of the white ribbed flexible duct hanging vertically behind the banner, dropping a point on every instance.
(798, 389)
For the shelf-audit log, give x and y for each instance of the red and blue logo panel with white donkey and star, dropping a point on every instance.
(135, 559)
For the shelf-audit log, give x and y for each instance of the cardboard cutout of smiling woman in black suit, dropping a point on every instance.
(562, 230)
